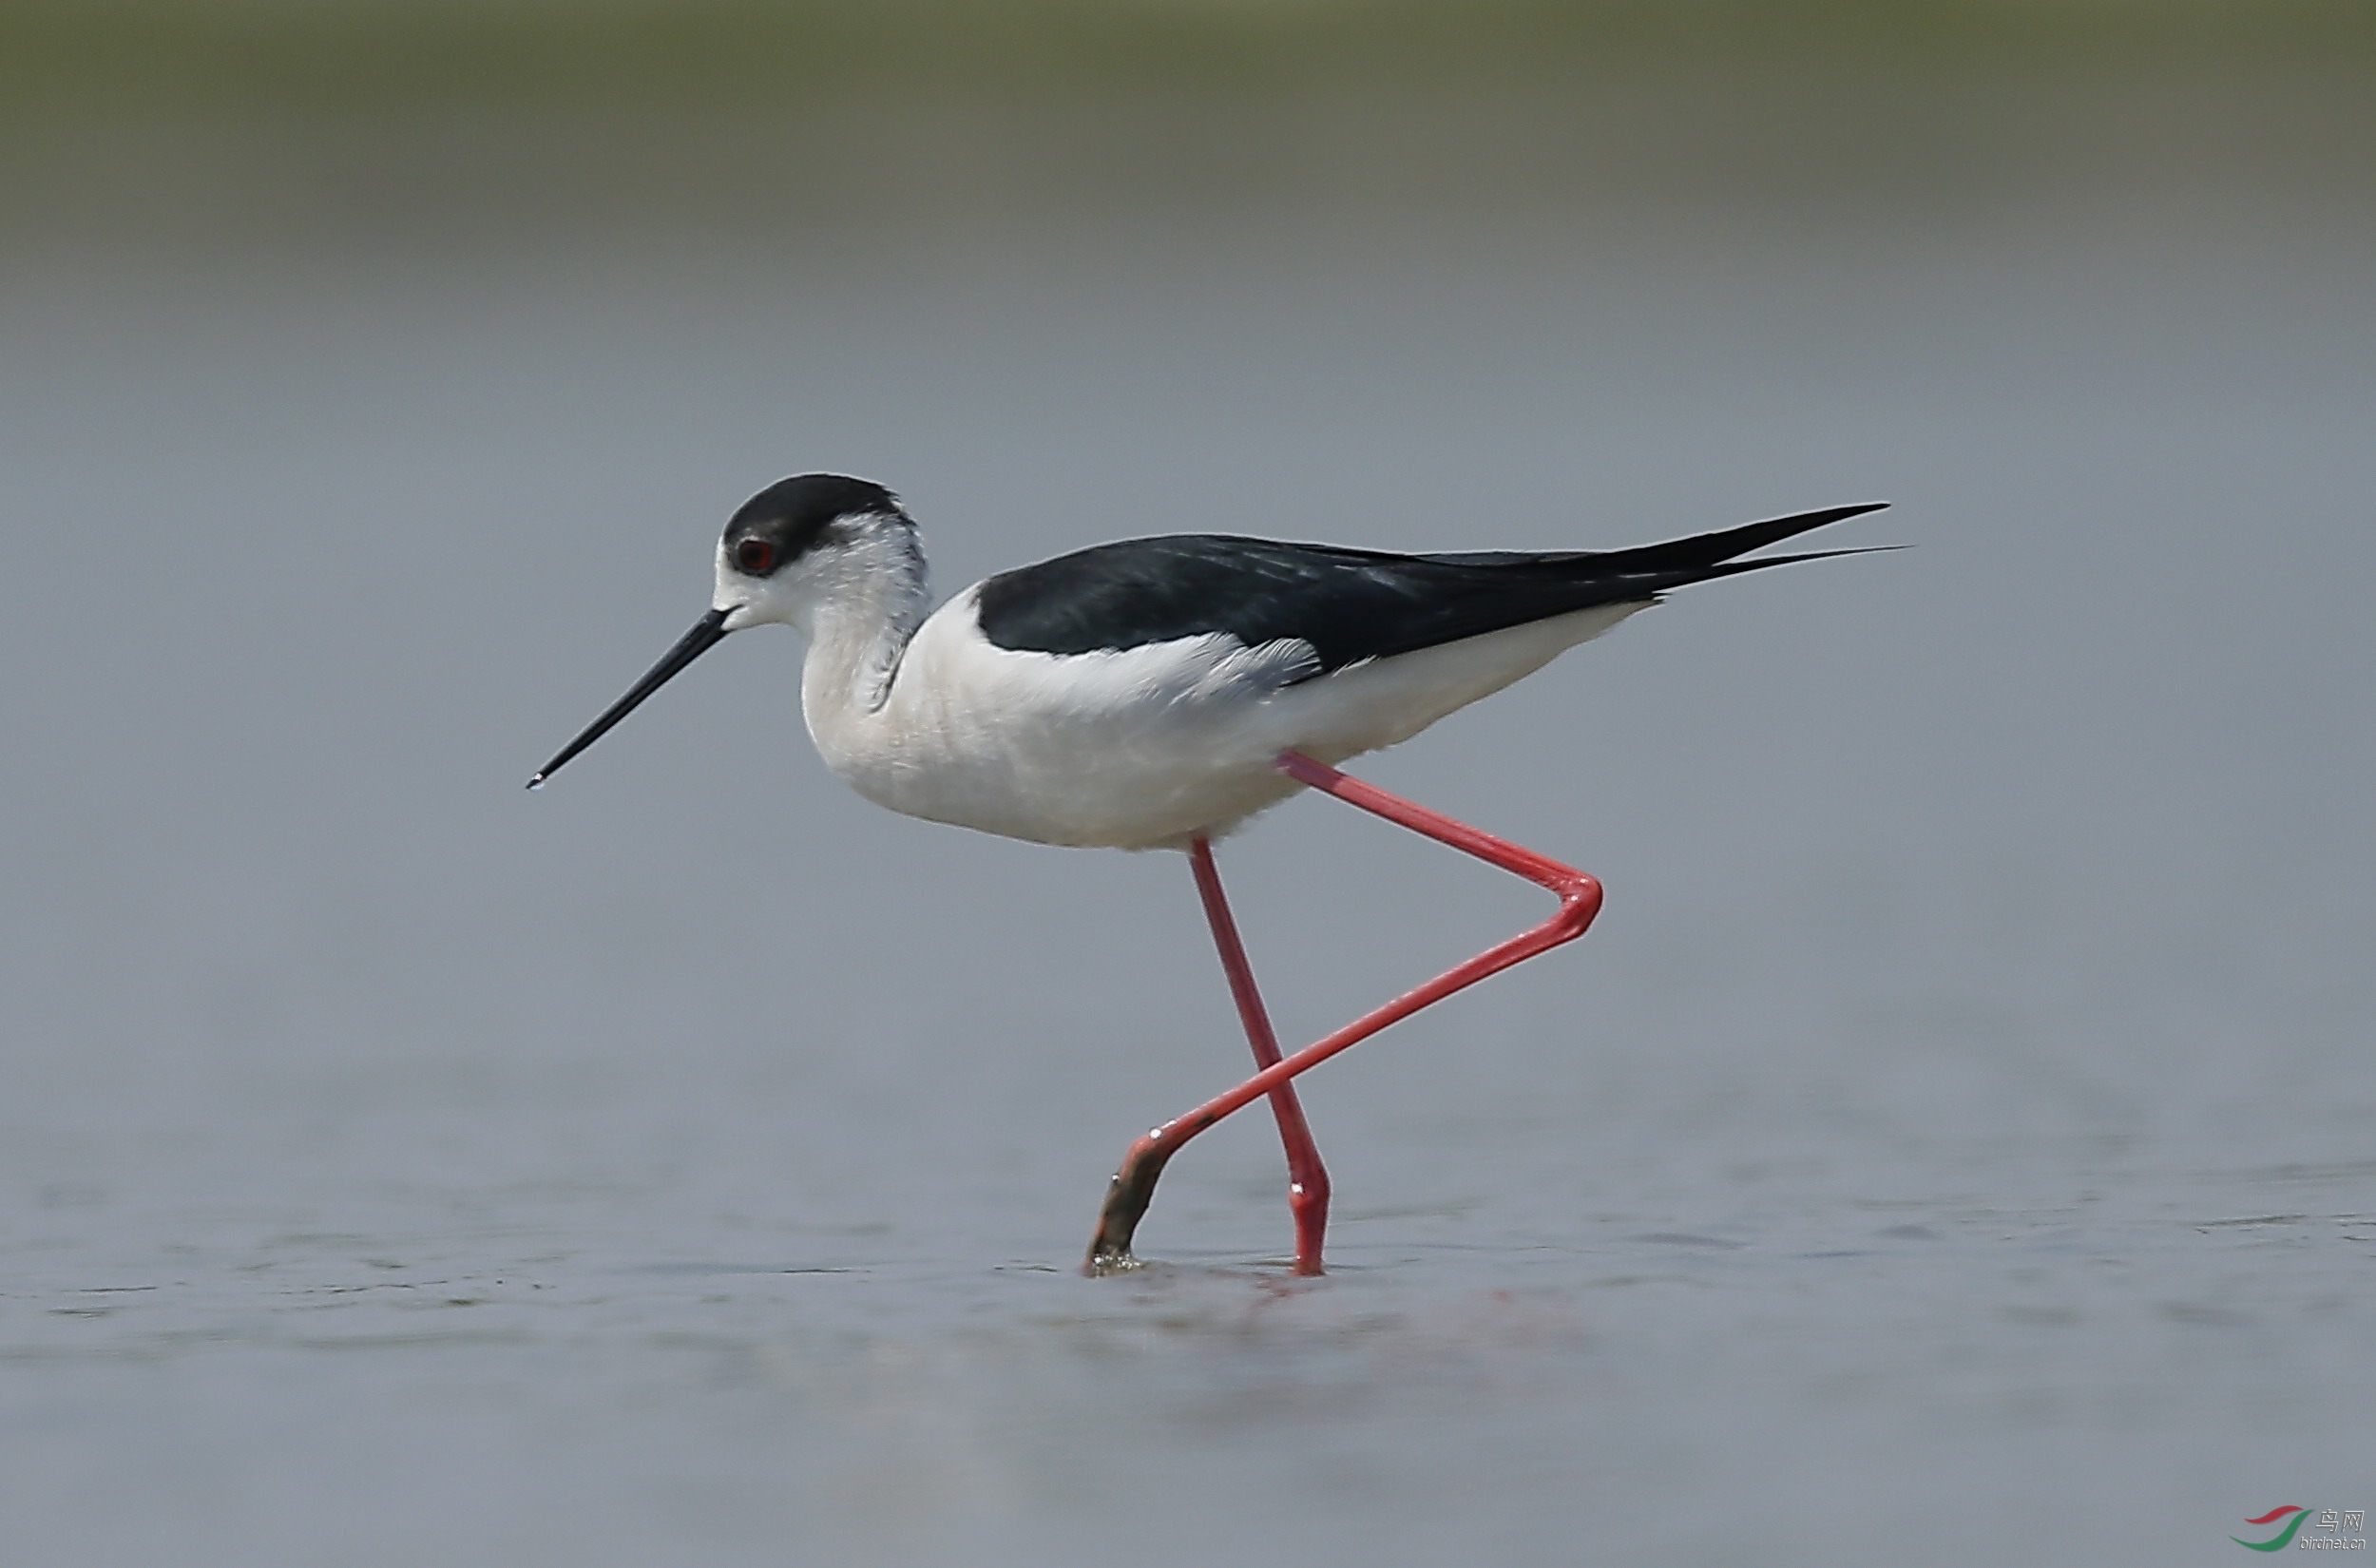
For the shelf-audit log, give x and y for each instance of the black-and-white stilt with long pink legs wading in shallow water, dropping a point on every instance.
(1161, 693)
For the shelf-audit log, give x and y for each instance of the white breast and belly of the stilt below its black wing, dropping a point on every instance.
(1146, 747)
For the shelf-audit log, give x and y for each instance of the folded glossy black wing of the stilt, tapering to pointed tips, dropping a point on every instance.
(1348, 605)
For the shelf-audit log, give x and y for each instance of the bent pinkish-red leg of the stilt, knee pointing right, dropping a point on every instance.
(1579, 902)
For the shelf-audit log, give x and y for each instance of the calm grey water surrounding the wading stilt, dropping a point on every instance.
(1954, 1144)
